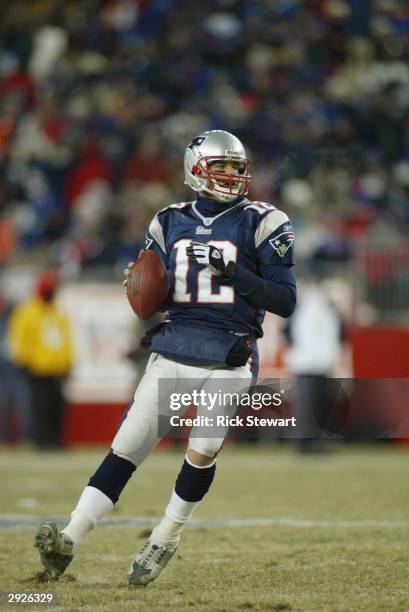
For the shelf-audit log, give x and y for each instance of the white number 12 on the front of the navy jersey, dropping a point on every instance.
(205, 293)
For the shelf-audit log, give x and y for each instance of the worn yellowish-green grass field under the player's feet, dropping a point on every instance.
(311, 533)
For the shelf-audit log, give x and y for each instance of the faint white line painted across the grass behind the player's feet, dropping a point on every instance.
(15, 522)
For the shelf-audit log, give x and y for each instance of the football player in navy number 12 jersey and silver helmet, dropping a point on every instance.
(229, 259)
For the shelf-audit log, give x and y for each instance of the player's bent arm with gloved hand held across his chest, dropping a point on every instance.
(274, 287)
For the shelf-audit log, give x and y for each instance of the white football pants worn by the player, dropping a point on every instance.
(139, 432)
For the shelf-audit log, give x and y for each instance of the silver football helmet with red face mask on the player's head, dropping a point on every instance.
(209, 148)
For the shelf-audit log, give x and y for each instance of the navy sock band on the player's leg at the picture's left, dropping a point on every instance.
(112, 476)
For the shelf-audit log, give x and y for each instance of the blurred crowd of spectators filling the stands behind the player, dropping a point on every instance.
(98, 99)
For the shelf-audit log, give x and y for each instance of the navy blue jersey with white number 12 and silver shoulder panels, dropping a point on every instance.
(256, 236)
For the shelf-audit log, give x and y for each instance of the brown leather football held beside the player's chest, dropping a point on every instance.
(148, 284)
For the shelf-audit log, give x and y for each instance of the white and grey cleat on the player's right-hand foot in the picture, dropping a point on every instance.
(149, 563)
